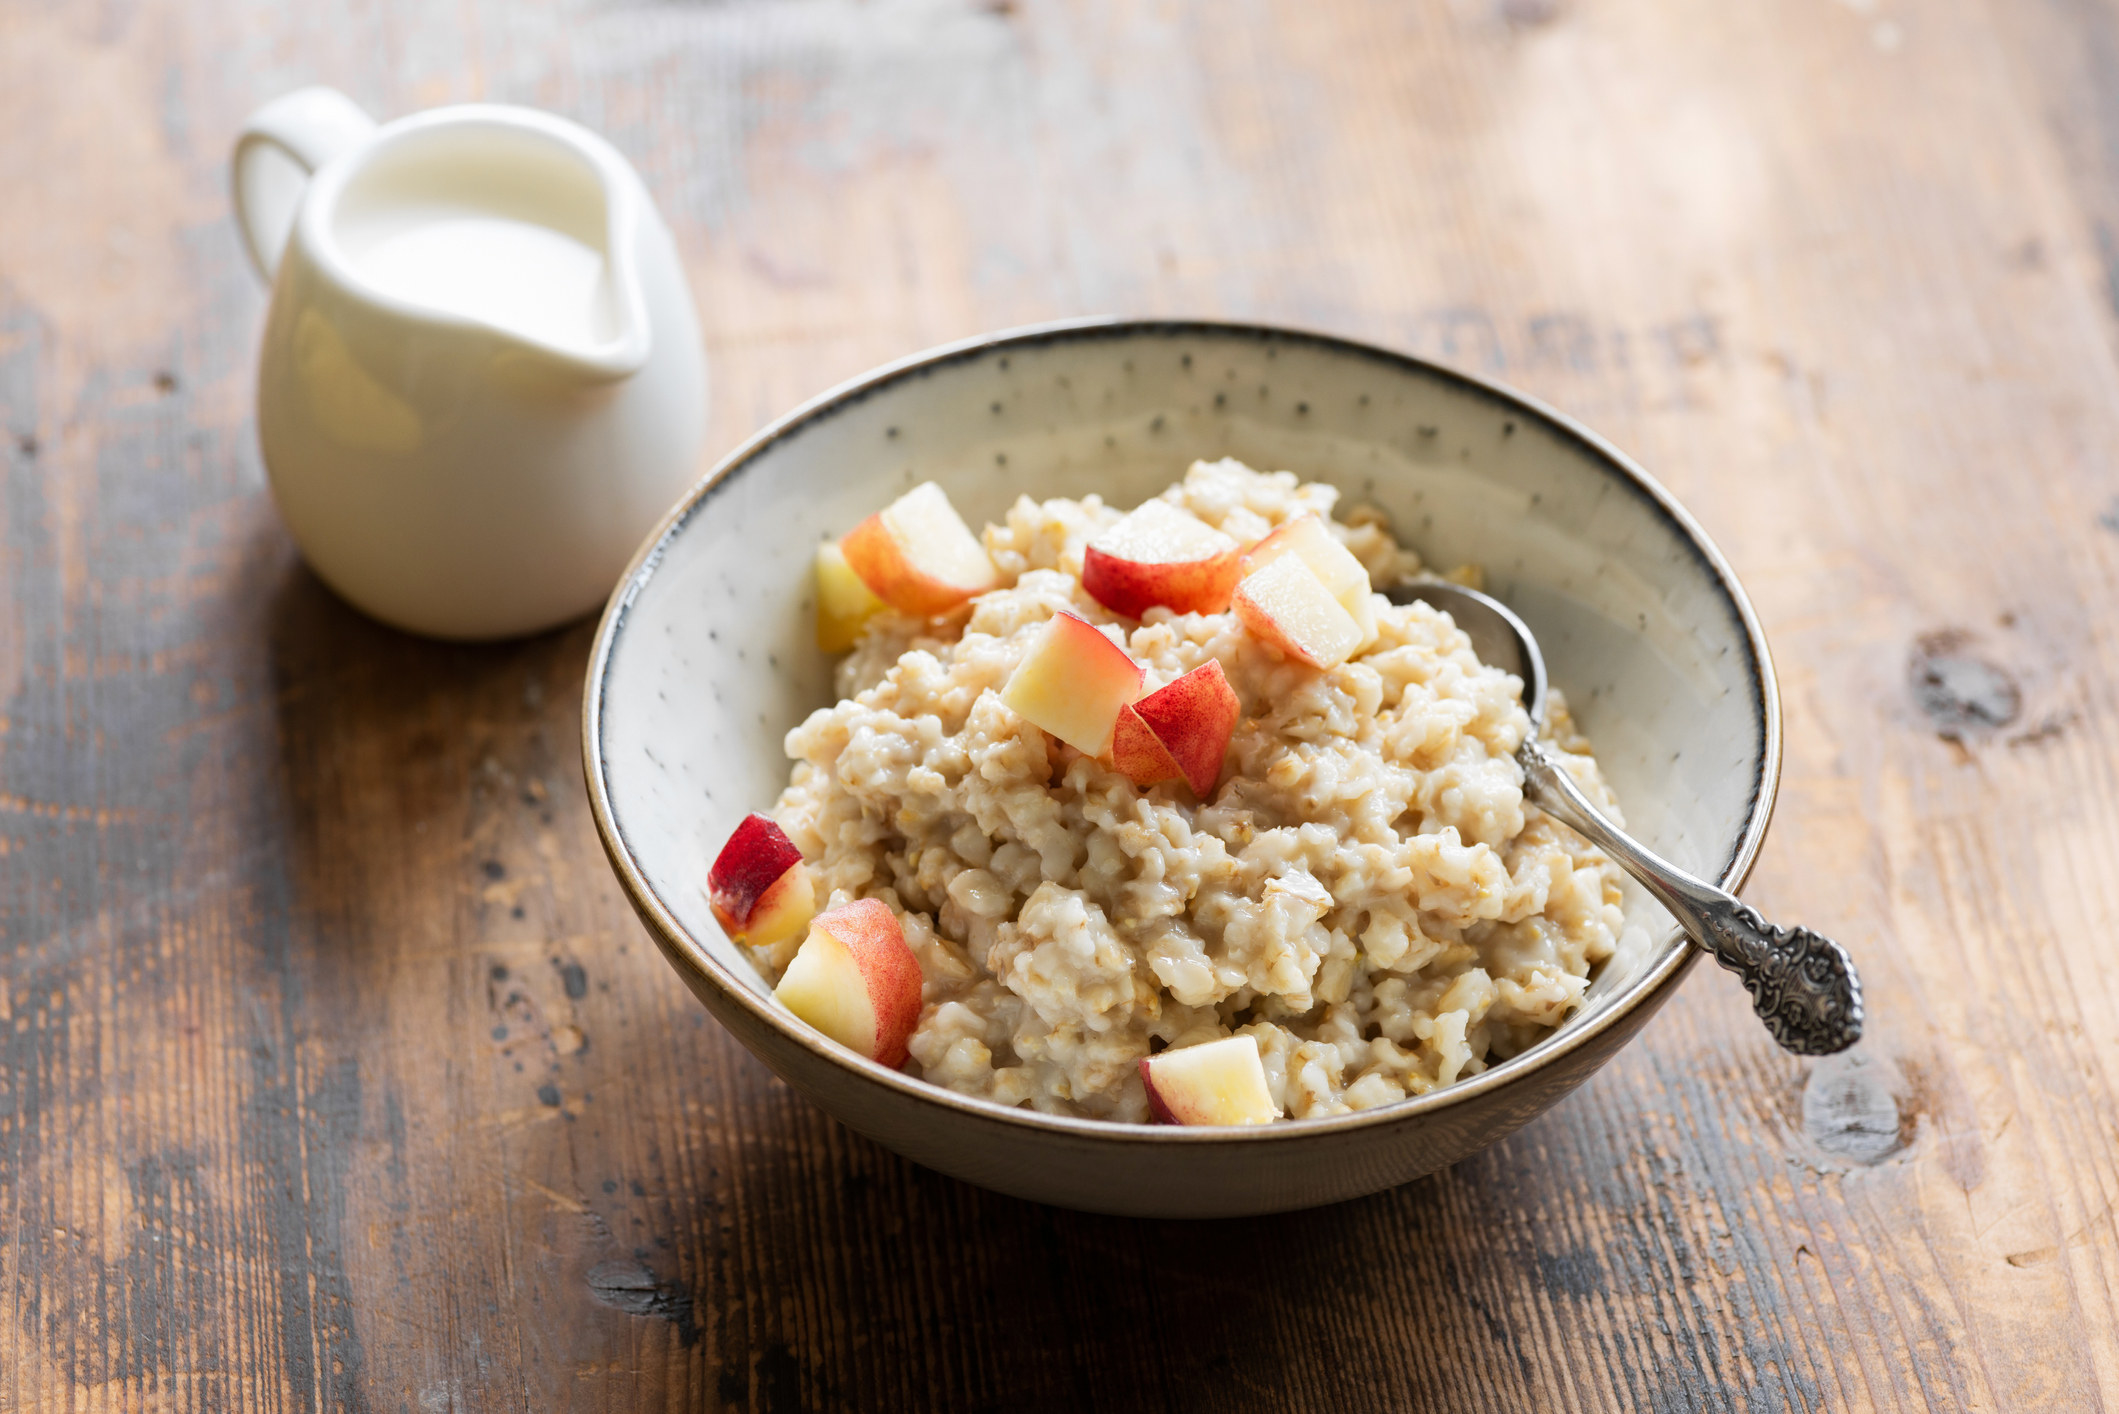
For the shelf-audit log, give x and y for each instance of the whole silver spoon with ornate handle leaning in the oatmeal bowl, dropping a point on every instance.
(1802, 985)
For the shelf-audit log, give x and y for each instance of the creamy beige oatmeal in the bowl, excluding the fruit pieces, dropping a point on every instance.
(1366, 894)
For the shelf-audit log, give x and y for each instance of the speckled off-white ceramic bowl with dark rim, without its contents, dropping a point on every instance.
(705, 660)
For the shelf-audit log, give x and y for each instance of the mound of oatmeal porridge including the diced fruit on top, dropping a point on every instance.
(1332, 853)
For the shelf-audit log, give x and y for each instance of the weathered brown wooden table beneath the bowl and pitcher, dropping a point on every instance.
(336, 1074)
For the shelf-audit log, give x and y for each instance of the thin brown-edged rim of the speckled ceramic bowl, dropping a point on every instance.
(681, 949)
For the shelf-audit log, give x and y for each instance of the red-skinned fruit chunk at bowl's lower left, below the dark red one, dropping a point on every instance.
(857, 980)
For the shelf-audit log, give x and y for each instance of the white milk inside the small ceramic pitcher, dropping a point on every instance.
(512, 275)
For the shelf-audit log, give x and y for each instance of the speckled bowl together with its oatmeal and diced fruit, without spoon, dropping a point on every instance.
(1130, 849)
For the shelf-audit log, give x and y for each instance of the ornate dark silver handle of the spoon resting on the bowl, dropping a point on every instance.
(1802, 985)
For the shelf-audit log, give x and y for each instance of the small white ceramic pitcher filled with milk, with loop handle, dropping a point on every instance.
(482, 376)
